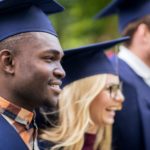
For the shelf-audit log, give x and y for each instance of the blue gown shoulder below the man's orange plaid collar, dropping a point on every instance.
(9, 138)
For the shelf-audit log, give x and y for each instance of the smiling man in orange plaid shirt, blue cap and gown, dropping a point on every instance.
(30, 69)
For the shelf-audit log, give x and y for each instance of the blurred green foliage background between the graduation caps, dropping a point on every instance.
(76, 26)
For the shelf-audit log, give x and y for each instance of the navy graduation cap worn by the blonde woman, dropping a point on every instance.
(88, 60)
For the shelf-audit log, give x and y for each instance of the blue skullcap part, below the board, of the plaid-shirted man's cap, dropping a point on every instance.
(31, 19)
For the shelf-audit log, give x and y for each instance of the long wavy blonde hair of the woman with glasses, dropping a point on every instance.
(74, 116)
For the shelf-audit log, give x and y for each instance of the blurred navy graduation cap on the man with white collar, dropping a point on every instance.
(127, 11)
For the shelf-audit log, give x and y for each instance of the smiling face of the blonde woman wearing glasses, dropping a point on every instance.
(107, 102)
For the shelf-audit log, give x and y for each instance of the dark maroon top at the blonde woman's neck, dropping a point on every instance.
(89, 141)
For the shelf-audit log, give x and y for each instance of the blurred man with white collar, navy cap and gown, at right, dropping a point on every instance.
(131, 128)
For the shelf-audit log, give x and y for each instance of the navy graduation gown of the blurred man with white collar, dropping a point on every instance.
(131, 130)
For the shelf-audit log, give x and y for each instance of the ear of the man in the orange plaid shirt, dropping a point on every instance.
(7, 61)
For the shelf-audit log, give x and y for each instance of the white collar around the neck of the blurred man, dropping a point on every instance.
(137, 65)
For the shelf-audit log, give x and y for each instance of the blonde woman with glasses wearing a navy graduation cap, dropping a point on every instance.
(88, 101)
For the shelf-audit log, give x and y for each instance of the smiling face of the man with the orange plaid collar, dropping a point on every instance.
(38, 71)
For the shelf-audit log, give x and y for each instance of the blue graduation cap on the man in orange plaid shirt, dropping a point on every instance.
(19, 16)
